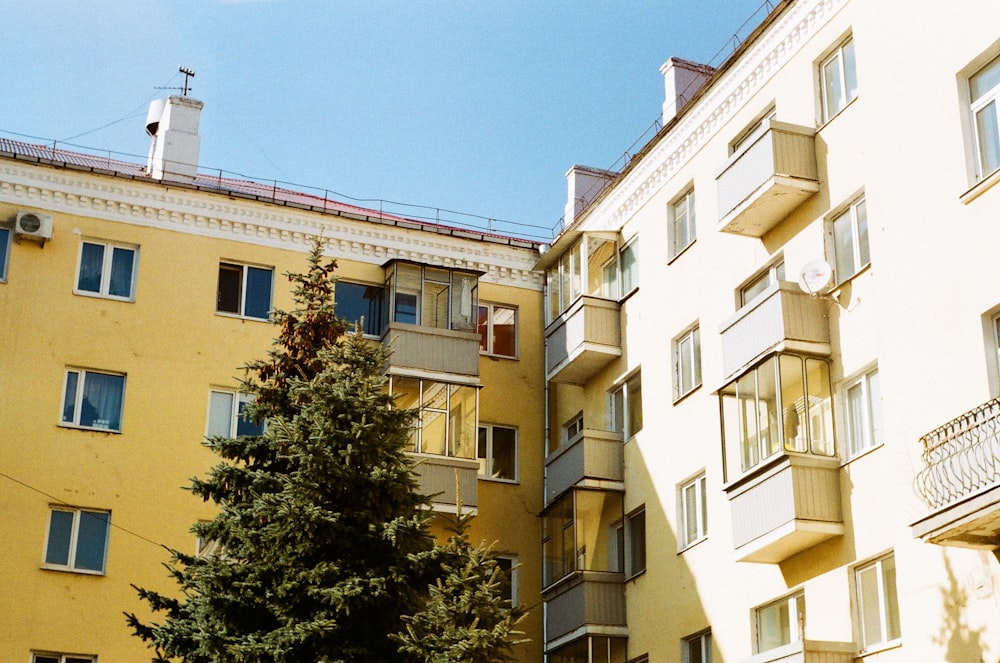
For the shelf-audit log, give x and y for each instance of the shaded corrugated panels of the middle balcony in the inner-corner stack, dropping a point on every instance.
(596, 456)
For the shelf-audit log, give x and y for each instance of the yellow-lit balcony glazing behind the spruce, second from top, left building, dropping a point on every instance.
(448, 413)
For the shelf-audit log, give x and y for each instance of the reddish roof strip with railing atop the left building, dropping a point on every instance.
(242, 188)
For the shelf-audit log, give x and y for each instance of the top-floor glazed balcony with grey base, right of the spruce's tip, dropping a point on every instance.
(430, 318)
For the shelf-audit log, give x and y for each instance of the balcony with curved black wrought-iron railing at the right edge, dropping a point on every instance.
(960, 481)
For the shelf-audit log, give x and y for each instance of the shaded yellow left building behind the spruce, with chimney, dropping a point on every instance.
(131, 294)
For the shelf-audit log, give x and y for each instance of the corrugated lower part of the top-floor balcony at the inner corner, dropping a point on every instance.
(583, 340)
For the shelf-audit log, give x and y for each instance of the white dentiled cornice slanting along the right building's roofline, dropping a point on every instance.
(756, 67)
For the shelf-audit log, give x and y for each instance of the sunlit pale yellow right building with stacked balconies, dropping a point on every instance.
(769, 340)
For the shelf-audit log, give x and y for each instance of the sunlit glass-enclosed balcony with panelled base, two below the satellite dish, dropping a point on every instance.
(780, 463)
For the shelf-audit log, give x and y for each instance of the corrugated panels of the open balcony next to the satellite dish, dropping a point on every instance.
(780, 318)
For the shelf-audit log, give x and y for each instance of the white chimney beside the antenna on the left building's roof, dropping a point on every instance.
(173, 150)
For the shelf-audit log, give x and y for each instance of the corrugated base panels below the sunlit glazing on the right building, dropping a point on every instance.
(785, 506)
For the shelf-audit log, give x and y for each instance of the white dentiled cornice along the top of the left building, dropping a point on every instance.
(66, 191)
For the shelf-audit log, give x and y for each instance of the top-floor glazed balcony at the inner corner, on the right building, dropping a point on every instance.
(583, 286)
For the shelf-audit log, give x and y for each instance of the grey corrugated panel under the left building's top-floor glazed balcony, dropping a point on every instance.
(432, 349)
